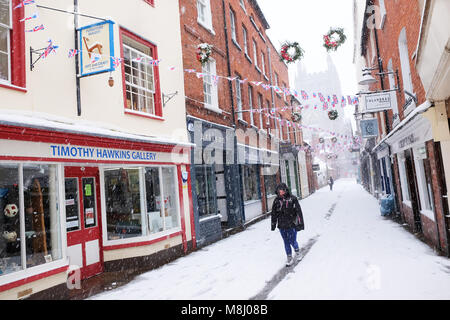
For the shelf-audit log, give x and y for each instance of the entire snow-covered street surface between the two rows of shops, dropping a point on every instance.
(352, 253)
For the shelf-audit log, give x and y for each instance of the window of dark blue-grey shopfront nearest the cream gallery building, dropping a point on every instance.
(205, 181)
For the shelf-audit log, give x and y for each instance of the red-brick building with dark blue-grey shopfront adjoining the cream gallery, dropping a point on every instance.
(225, 97)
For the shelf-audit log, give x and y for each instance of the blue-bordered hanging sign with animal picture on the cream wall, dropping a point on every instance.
(97, 48)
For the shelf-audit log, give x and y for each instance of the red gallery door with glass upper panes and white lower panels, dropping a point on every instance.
(82, 201)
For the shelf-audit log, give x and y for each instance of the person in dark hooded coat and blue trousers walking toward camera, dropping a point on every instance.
(287, 216)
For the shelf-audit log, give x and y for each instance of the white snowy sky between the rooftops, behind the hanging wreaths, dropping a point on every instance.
(306, 21)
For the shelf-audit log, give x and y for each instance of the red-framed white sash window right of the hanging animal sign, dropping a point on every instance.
(141, 77)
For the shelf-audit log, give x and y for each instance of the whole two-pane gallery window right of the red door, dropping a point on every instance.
(125, 204)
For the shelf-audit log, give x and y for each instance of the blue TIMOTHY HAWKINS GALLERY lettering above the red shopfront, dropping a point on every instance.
(98, 153)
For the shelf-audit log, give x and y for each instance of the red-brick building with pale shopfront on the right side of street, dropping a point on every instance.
(407, 153)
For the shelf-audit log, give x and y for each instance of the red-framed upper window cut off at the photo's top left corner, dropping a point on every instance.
(12, 44)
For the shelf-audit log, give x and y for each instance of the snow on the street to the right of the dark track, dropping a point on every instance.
(362, 255)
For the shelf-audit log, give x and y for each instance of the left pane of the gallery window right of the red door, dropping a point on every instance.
(123, 203)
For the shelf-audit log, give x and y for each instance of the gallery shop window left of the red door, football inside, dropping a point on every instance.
(30, 233)
